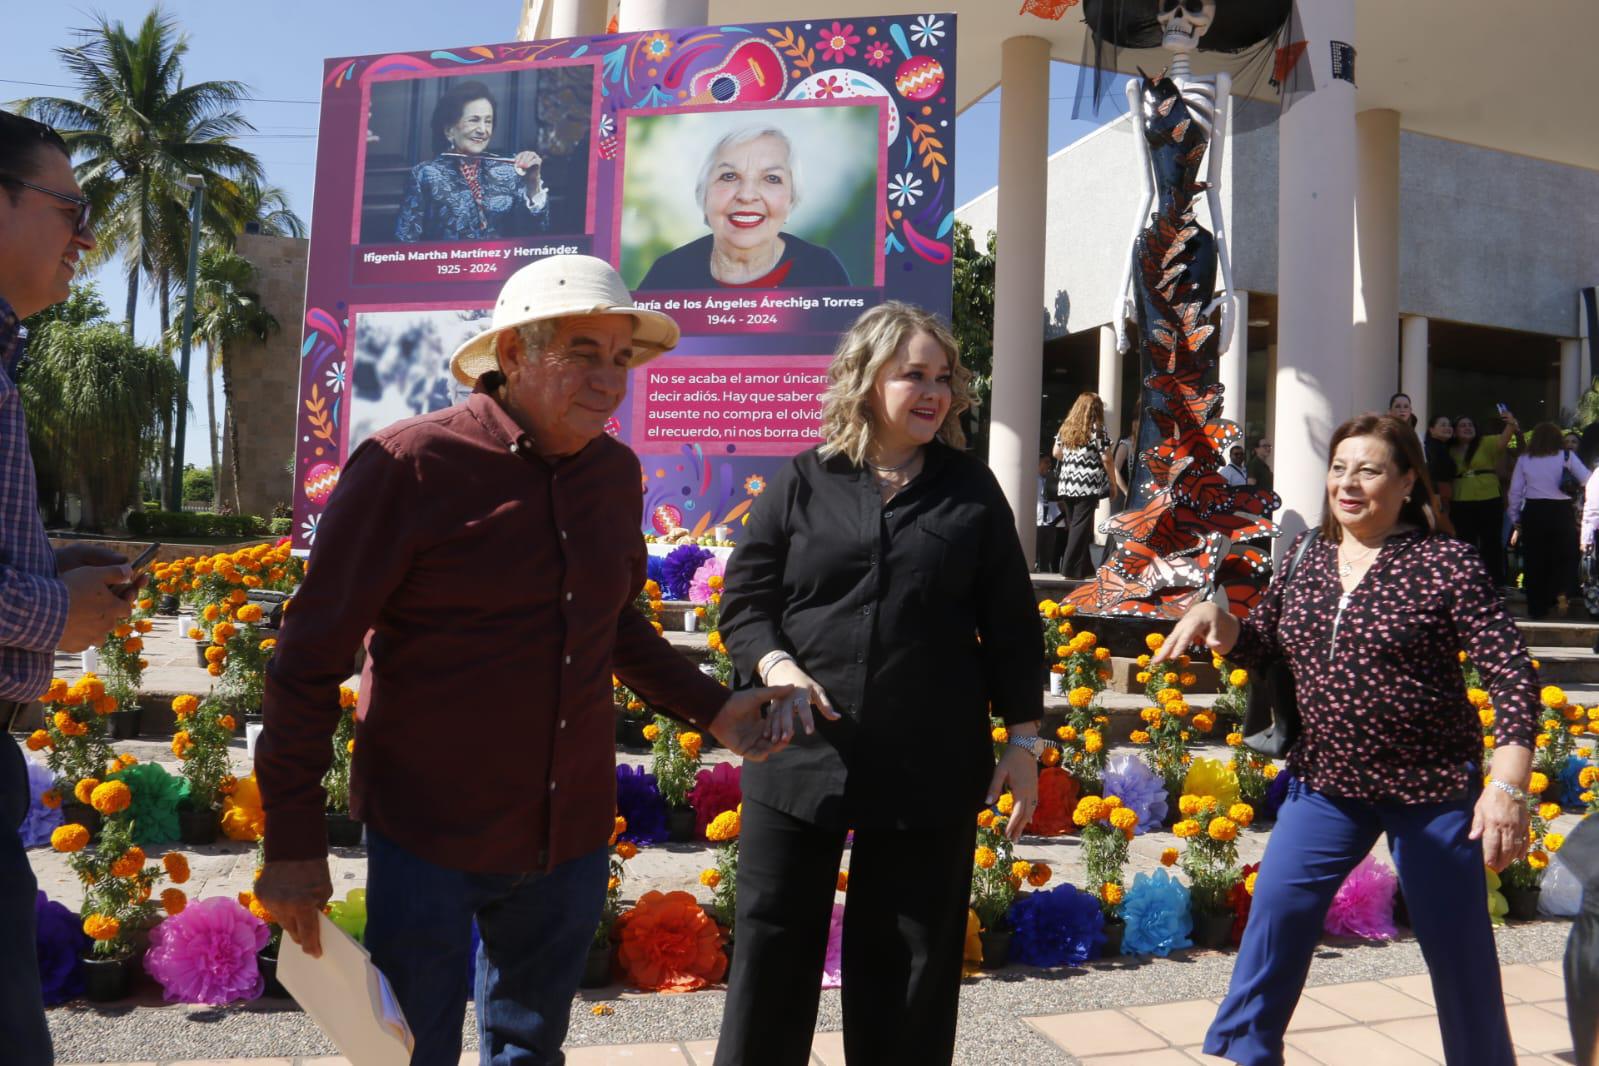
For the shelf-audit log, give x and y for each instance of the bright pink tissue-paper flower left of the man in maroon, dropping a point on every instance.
(207, 953)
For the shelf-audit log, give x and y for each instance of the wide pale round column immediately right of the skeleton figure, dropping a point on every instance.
(1315, 265)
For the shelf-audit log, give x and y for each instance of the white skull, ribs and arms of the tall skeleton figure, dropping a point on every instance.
(1182, 25)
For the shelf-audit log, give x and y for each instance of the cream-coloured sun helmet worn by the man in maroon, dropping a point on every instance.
(560, 287)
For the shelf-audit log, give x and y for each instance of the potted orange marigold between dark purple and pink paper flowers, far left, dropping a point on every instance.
(118, 886)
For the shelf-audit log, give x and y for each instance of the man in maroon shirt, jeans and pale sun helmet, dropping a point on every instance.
(490, 557)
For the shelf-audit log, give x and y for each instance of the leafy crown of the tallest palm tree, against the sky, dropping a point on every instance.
(138, 132)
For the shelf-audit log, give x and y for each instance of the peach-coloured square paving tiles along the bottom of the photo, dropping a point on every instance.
(1363, 1024)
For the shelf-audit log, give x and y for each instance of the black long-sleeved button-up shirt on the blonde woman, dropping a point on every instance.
(917, 616)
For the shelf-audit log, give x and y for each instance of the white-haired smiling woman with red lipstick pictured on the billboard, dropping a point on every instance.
(748, 189)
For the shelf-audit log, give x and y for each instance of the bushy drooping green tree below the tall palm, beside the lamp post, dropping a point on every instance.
(95, 402)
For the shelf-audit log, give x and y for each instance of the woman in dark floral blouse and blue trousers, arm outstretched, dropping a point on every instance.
(1373, 624)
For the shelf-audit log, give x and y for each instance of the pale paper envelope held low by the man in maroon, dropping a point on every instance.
(348, 998)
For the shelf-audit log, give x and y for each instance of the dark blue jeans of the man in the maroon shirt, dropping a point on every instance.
(535, 931)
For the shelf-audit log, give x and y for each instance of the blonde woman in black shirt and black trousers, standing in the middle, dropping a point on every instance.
(883, 578)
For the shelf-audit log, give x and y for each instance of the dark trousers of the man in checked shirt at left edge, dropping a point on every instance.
(23, 1030)
